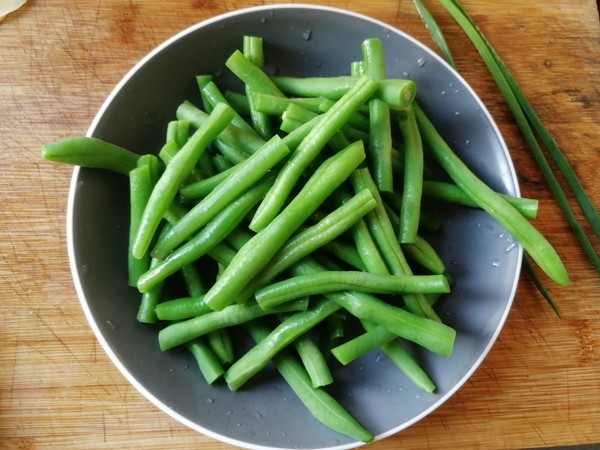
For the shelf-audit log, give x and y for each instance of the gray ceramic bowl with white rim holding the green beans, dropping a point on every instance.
(302, 41)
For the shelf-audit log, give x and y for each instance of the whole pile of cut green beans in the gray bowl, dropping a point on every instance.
(295, 210)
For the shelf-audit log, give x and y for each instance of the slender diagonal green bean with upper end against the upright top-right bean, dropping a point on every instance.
(308, 150)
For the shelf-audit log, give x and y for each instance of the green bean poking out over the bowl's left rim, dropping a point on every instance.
(91, 152)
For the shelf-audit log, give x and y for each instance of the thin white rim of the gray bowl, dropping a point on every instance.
(73, 192)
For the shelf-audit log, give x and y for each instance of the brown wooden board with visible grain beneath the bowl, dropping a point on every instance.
(538, 387)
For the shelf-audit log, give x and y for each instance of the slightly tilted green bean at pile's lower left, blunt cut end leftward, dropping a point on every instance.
(179, 333)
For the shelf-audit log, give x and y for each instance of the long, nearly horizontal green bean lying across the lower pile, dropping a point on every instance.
(333, 281)
